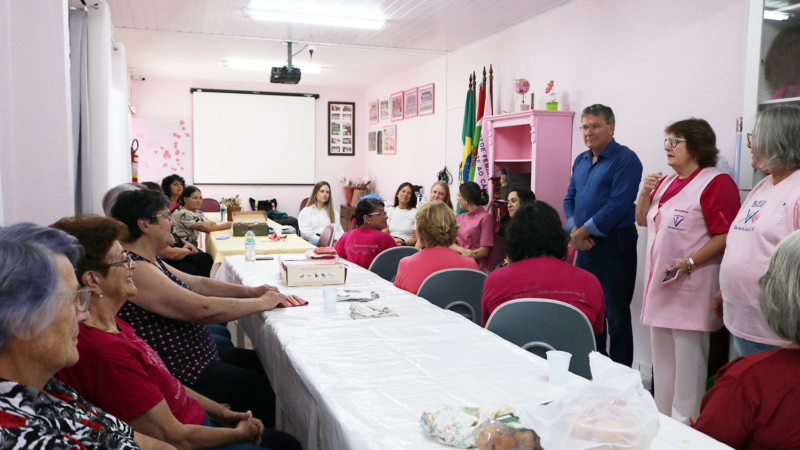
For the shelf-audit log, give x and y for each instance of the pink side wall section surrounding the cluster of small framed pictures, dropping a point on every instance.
(420, 140)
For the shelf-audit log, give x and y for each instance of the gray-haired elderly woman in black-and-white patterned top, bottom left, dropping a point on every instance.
(40, 307)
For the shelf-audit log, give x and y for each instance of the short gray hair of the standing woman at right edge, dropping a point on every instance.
(776, 137)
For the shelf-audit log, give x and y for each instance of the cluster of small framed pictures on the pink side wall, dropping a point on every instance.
(403, 105)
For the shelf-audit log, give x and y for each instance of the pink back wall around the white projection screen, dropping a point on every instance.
(170, 99)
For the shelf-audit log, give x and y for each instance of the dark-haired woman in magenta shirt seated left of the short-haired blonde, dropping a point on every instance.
(362, 245)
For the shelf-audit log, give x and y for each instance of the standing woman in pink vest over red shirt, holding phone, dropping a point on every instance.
(687, 214)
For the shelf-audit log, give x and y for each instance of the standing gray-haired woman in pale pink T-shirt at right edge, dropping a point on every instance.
(770, 213)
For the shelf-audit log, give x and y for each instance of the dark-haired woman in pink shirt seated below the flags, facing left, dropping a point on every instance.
(475, 227)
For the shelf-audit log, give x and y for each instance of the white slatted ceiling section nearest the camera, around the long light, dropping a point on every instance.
(435, 25)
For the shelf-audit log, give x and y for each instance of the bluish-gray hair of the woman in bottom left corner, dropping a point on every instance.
(29, 277)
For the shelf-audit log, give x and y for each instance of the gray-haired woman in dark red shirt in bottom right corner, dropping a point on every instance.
(755, 402)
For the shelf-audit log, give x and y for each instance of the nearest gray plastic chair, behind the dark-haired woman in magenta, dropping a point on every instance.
(539, 325)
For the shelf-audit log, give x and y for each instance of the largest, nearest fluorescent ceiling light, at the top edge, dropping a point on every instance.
(298, 13)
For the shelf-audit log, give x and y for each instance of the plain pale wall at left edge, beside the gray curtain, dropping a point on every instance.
(35, 128)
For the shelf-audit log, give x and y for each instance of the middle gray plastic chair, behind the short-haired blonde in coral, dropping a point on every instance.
(458, 290)
